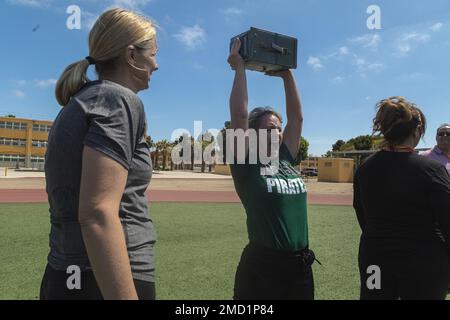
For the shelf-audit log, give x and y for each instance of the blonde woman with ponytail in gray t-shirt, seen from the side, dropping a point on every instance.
(98, 168)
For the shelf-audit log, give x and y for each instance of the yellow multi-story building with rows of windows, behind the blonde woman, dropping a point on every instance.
(23, 142)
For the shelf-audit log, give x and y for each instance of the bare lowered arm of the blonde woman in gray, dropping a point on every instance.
(102, 184)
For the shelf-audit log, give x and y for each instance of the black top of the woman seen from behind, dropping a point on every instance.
(402, 202)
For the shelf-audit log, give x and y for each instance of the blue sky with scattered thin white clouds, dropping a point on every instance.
(344, 68)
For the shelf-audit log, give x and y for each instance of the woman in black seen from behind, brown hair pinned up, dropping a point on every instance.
(402, 202)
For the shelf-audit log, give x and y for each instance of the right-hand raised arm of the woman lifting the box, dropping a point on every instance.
(294, 113)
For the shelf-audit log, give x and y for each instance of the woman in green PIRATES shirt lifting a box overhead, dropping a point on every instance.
(276, 264)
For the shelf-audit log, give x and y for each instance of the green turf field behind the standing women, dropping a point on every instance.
(197, 253)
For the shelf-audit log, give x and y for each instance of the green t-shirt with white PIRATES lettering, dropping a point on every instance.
(275, 204)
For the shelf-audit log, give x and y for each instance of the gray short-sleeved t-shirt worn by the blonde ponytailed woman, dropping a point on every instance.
(111, 119)
